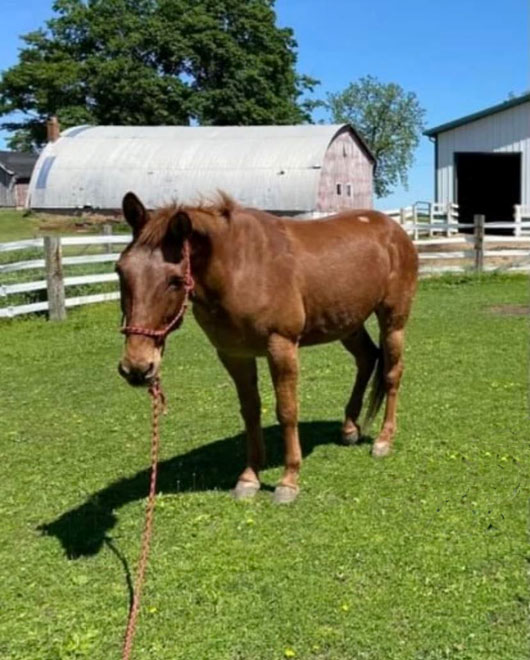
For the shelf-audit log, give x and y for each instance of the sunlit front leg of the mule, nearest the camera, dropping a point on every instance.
(283, 363)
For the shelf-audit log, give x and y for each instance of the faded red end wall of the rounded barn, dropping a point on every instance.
(345, 163)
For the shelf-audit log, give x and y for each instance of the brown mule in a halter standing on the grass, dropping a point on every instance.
(264, 286)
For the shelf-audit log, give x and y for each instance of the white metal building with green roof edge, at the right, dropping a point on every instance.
(482, 161)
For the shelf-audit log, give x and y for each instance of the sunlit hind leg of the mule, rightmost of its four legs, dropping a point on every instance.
(392, 341)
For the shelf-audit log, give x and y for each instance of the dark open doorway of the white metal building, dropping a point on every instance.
(488, 184)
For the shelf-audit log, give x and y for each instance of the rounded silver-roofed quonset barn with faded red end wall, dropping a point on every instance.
(306, 170)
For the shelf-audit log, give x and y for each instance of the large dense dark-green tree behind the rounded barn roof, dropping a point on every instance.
(154, 62)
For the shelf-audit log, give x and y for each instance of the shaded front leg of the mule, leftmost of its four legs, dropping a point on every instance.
(245, 376)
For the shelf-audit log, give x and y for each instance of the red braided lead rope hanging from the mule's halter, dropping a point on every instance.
(157, 406)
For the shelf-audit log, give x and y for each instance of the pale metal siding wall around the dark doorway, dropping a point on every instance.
(506, 131)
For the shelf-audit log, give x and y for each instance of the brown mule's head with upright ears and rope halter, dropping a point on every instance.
(152, 271)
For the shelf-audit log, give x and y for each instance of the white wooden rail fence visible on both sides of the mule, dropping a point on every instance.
(441, 248)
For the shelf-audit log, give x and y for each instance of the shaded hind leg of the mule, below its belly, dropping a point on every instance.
(366, 353)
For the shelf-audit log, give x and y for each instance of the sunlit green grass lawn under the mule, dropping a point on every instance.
(422, 556)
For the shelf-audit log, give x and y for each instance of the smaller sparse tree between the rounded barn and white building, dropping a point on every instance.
(389, 119)
